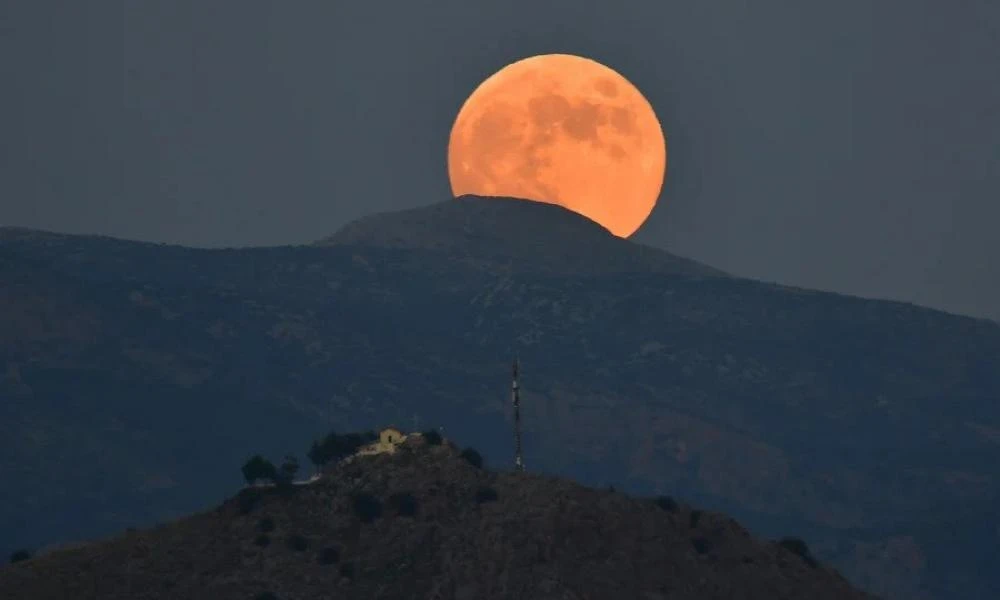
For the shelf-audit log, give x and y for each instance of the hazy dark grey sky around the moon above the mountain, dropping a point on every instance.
(850, 145)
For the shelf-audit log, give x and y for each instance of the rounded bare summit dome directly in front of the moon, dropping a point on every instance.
(495, 231)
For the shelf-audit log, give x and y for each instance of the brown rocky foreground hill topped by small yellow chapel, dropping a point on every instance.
(424, 523)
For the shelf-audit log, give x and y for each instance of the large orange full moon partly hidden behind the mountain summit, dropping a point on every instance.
(565, 130)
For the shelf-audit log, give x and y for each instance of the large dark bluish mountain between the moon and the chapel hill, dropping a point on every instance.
(135, 378)
